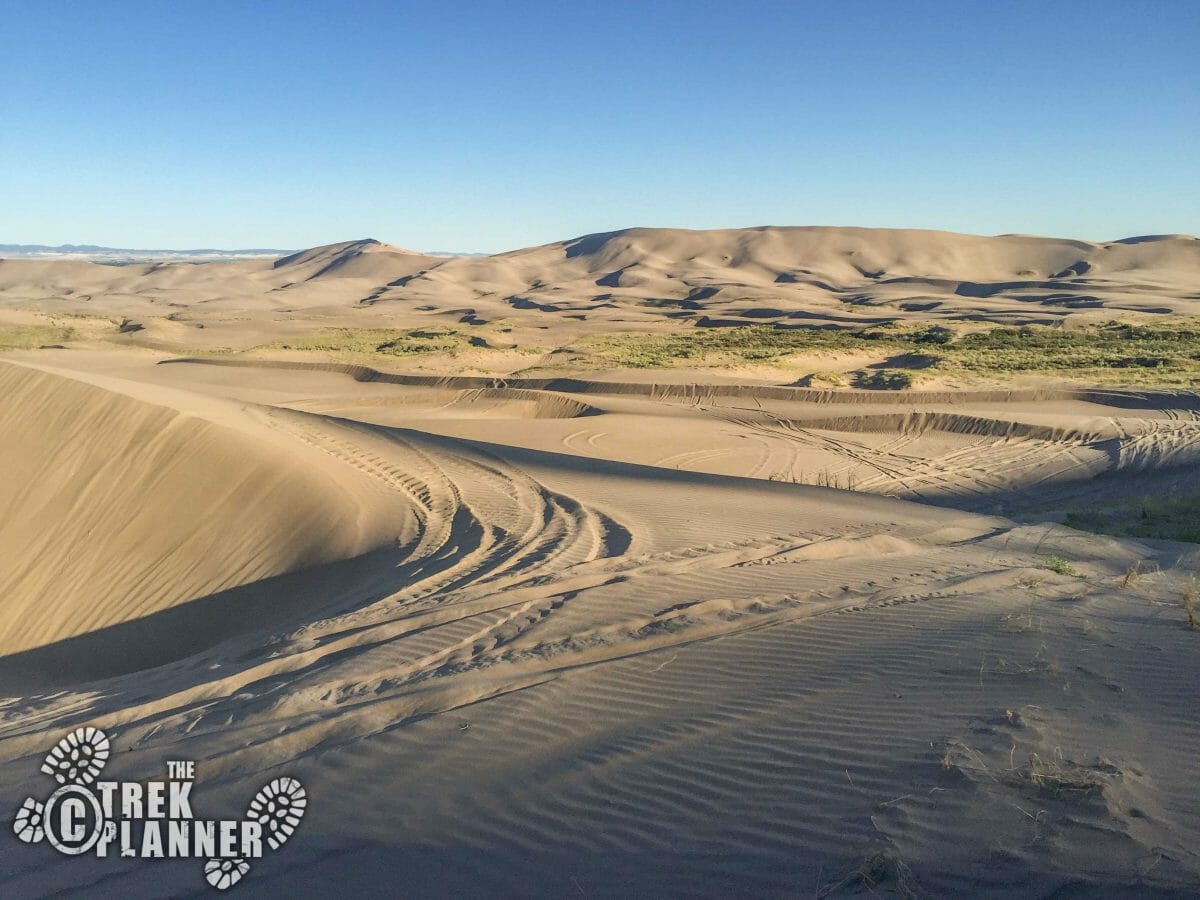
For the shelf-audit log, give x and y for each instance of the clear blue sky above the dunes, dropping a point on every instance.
(495, 125)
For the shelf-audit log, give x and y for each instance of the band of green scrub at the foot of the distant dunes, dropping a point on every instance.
(1114, 353)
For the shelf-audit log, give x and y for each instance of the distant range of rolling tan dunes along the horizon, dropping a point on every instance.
(825, 277)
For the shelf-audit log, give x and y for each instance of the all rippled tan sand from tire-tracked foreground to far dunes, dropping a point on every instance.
(655, 634)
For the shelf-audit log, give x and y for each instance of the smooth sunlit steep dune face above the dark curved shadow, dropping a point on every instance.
(115, 509)
